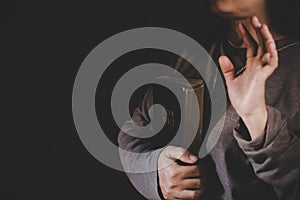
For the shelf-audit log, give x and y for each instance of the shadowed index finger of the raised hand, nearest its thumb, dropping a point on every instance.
(247, 39)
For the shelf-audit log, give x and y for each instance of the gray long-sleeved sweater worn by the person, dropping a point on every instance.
(265, 168)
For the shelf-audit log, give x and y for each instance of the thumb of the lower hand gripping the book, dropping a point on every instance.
(178, 153)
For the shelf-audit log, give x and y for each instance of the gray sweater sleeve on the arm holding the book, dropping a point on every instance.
(138, 155)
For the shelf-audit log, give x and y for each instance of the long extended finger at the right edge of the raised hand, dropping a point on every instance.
(270, 45)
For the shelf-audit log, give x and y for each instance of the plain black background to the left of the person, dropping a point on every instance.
(44, 45)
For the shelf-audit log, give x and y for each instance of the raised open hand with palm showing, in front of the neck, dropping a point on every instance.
(247, 90)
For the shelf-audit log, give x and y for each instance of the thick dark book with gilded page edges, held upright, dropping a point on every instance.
(173, 114)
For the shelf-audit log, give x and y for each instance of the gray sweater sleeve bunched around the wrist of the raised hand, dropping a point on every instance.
(275, 156)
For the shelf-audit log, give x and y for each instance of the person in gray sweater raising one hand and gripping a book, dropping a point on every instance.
(258, 153)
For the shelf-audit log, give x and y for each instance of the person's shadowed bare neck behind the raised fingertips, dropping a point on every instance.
(235, 38)
